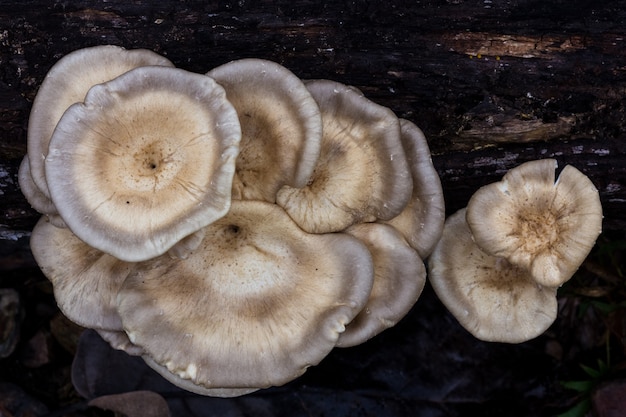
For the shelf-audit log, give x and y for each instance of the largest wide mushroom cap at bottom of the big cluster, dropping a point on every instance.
(257, 303)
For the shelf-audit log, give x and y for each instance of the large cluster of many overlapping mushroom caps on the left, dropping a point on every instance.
(231, 228)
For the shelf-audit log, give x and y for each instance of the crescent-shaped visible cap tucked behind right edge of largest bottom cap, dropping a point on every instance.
(399, 278)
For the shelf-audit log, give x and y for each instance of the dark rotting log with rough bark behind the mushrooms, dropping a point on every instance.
(492, 84)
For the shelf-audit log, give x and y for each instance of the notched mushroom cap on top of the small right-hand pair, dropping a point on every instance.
(545, 226)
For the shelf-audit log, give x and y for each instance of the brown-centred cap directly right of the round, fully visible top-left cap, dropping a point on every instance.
(280, 123)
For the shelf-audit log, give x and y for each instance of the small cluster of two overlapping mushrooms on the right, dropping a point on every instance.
(501, 259)
